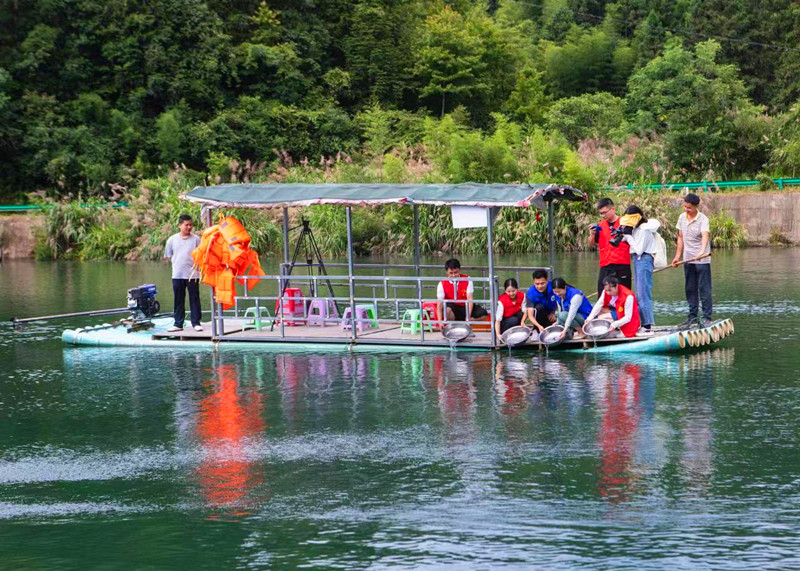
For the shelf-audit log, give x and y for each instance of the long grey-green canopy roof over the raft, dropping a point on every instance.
(466, 194)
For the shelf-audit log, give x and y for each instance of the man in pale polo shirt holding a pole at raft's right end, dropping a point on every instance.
(694, 242)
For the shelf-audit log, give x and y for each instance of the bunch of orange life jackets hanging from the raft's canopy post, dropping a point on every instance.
(223, 256)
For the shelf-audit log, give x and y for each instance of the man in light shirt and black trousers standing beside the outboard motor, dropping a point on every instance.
(184, 275)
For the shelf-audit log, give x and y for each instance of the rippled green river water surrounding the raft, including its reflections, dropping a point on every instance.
(157, 459)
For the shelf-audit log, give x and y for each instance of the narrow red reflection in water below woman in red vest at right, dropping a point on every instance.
(620, 421)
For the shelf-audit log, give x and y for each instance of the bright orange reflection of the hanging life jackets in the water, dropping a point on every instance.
(225, 421)
